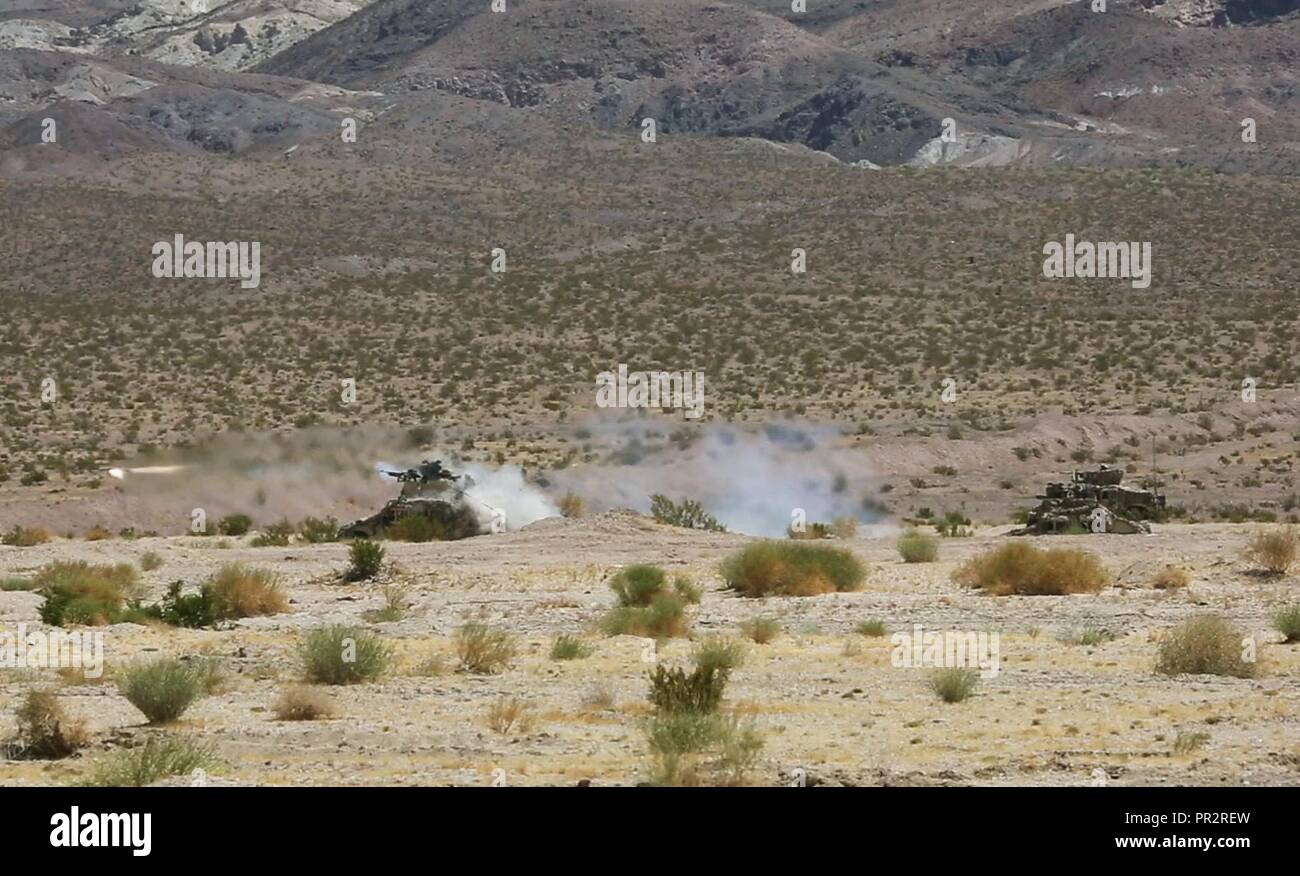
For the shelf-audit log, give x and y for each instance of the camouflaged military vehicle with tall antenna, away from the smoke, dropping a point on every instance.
(1095, 501)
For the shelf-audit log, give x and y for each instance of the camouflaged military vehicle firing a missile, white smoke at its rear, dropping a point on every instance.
(439, 497)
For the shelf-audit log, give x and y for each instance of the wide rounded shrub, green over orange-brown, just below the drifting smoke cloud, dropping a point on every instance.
(792, 570)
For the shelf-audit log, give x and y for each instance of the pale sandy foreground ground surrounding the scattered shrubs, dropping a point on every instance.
(827, 701)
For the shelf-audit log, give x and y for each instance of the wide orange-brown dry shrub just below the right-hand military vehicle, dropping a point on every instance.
(1020, 569)
